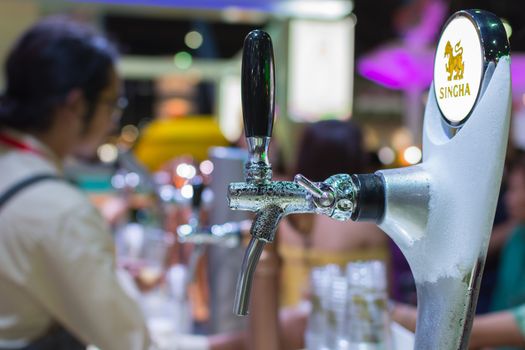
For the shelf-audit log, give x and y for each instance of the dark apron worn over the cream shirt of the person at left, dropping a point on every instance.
(57, 338)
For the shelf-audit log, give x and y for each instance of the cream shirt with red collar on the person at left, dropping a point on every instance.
(57, 262)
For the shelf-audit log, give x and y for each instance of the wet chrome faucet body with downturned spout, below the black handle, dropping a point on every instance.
(271, 201)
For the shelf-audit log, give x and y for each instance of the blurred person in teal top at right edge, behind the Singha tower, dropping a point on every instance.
(504, 326)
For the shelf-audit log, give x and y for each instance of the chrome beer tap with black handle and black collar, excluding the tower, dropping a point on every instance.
(337, 197)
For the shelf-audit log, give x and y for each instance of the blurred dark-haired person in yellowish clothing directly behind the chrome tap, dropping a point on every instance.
(306, 240)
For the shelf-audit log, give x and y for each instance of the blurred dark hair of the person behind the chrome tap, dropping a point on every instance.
(331, 147)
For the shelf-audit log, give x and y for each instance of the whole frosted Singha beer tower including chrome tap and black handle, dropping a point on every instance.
(439, 212)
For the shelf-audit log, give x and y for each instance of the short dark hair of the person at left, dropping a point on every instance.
(49, 60)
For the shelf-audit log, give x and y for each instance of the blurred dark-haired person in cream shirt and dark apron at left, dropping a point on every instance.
(58, 284)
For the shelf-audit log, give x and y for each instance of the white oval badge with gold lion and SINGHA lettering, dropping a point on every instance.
(458, 69)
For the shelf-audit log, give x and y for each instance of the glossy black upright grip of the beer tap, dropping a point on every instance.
(258, 84)
